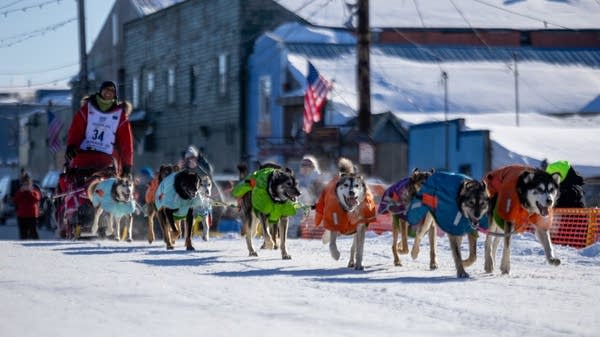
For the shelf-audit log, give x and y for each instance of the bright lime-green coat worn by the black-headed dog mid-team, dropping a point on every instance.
(258, 183)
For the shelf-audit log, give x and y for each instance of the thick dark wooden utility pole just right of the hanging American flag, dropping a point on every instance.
(366, 149)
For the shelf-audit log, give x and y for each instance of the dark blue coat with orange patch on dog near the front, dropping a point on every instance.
(438, 195)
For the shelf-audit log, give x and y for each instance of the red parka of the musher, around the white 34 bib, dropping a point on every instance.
(123, 147)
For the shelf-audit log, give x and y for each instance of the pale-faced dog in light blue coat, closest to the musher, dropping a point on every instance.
(115, 197)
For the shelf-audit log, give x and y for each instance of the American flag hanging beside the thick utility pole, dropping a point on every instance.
(315, 97)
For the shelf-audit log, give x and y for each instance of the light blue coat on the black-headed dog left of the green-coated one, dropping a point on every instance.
(166, 197)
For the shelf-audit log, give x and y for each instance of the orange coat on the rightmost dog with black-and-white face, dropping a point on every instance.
(503, 184)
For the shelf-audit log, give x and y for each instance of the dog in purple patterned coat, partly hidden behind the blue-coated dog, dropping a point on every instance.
(395, 200)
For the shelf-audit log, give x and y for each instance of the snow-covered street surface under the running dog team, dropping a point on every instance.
(105, 288)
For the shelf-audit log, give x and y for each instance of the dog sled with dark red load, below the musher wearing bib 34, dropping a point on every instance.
(74, 211)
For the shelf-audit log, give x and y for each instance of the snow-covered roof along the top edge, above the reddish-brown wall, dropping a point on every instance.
(530, 14)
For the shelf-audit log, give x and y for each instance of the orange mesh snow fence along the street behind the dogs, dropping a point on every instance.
(575, 227)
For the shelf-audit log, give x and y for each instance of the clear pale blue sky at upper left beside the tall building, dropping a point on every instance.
(39, 41)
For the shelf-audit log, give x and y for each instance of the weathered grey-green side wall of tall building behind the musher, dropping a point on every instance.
(190, 36)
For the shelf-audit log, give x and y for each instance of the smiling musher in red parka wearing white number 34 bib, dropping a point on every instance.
(100, 134)
